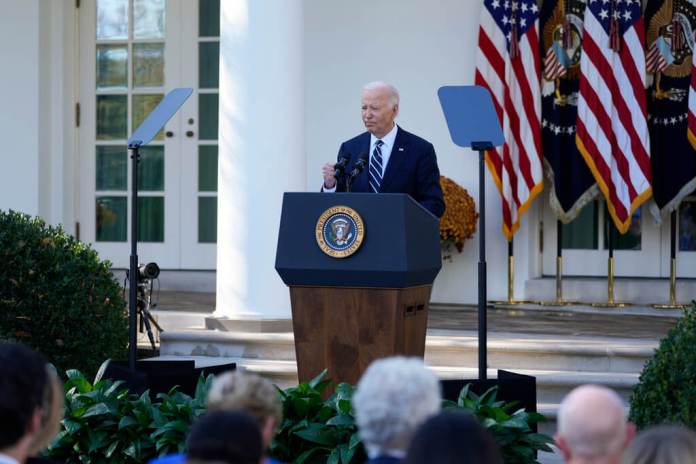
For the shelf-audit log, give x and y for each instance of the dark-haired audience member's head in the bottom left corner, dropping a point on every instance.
(22, 390)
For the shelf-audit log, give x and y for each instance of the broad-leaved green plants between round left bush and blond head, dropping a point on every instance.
(104, 423)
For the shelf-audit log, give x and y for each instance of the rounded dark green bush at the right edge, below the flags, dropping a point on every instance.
(666, 391)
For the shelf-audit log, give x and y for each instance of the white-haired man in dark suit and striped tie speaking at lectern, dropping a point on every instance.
(399, 162)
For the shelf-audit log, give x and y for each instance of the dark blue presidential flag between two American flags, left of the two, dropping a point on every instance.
(573, 185)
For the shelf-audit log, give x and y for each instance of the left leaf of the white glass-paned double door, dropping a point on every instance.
(126, 70)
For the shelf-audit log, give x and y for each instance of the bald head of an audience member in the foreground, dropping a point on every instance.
(592, 426)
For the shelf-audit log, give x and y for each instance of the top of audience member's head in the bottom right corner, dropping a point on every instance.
(664, 444)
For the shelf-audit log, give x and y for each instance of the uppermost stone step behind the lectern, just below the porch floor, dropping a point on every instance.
(443, 348)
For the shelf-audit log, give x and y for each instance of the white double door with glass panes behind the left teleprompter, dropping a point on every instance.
(131, 53)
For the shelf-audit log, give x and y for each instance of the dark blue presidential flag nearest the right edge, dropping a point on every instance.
(670, 43)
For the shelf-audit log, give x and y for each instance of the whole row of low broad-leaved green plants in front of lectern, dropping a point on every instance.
(105, 423)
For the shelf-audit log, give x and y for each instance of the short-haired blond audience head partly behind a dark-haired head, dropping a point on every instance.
(237, 391)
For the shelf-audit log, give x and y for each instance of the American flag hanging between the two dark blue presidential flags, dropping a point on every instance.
(612, 131)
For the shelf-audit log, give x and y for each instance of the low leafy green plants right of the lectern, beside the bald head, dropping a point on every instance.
(511, 430)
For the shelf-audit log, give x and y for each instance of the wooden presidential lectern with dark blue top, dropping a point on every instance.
(349, 311)
